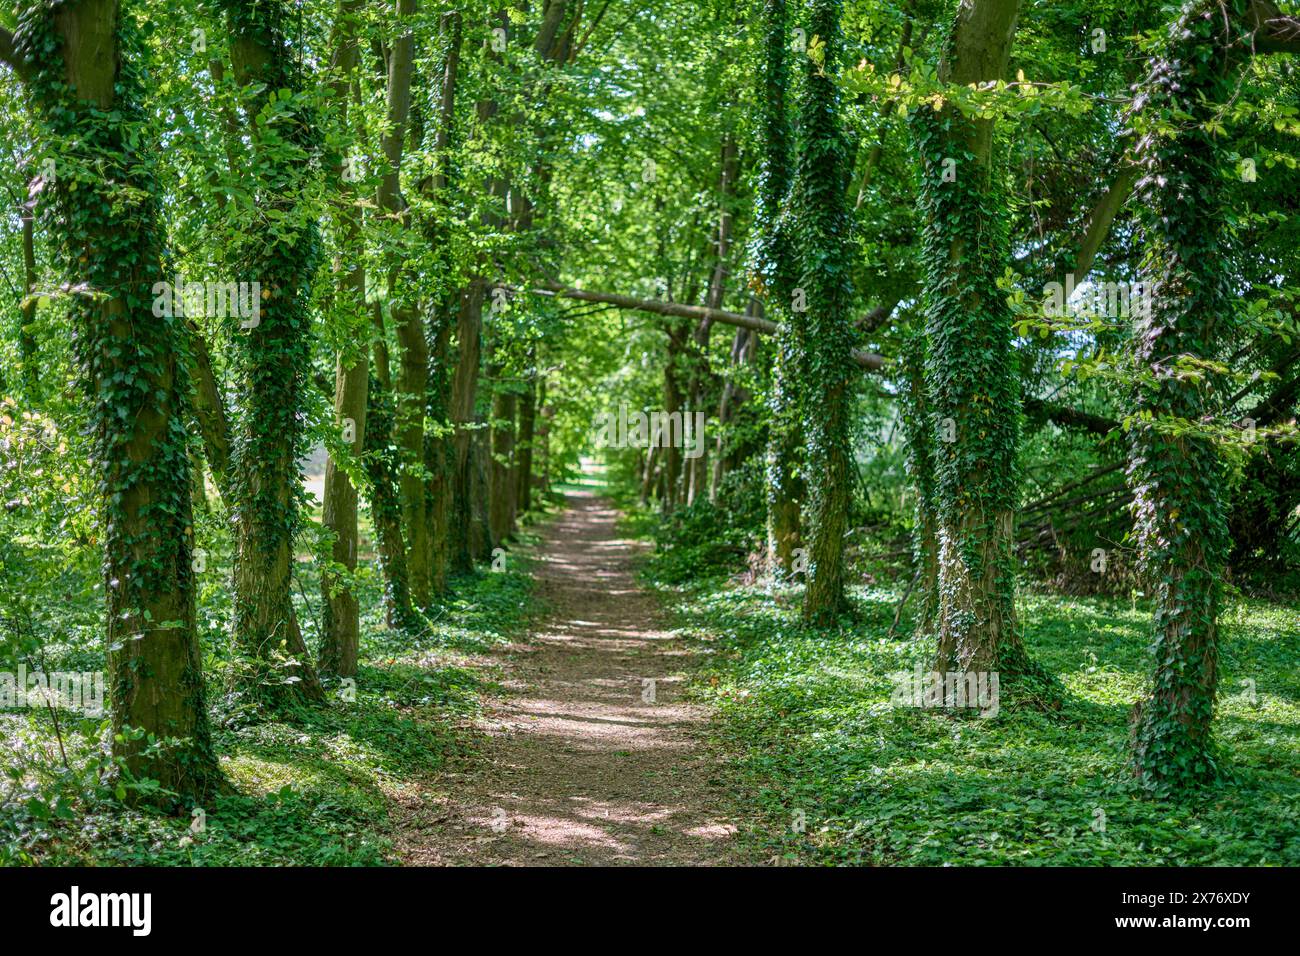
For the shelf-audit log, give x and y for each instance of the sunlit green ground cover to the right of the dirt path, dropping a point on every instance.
(831, 773)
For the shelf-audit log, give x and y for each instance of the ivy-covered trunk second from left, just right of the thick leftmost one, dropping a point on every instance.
(275, 356)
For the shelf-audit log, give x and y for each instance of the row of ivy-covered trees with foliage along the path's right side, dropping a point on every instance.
(952, 309)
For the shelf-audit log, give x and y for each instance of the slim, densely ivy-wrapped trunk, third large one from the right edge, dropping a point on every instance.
(824, 332)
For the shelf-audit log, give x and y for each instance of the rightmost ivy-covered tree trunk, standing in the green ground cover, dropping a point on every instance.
(1176, 473)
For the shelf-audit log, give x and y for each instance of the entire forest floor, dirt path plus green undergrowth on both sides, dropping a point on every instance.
(519, 729)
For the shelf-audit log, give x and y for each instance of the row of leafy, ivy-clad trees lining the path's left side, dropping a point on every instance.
(369, 170)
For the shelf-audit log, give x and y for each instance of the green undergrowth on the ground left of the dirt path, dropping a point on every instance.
(313, 788)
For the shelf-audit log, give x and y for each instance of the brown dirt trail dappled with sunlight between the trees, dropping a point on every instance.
(586, 763)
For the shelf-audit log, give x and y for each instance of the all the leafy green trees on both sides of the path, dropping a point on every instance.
(474, 226)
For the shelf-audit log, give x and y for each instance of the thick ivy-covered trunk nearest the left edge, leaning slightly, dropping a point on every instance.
(106, 217)
